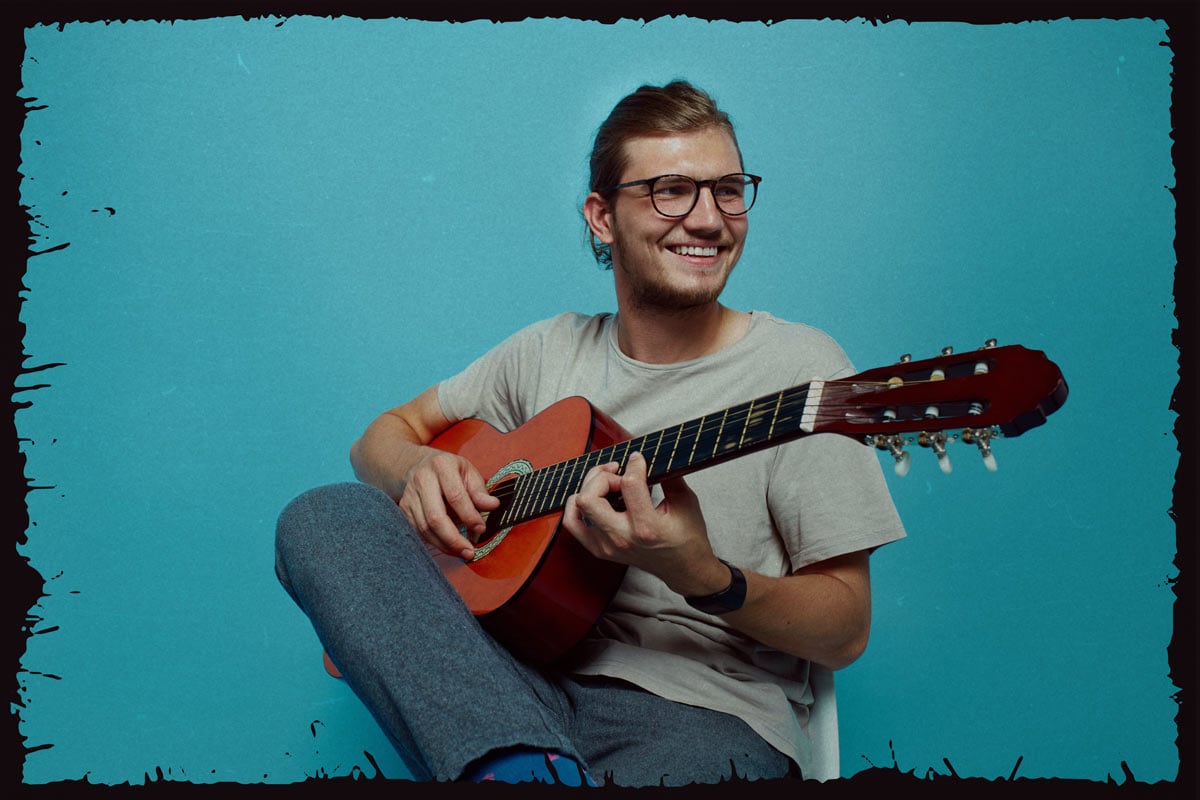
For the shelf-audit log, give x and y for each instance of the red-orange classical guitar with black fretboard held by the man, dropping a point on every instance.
(538, 591)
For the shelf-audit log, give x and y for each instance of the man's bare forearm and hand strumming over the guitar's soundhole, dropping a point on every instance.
(435, 490)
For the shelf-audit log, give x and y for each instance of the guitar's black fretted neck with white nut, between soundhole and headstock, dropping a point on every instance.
(682, 449)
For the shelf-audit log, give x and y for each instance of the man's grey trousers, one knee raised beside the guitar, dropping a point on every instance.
(447, 694)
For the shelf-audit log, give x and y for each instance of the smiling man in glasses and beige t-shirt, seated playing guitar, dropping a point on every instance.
(745, 580)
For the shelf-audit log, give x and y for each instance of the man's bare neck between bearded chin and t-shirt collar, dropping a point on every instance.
(669, 336)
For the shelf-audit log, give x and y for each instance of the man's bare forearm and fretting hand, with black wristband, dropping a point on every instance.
(821, 612)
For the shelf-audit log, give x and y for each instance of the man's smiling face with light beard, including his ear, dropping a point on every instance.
(674, 263)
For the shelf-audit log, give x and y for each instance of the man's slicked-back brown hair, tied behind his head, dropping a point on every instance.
(675, 109)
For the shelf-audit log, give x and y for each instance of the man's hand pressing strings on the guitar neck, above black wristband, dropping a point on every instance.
(669, 540)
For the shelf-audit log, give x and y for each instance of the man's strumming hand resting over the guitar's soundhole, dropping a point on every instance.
(442, 492)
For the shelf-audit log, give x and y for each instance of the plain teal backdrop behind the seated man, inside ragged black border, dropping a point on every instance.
(269, 231)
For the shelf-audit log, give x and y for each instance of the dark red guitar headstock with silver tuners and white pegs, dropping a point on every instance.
(976, 395)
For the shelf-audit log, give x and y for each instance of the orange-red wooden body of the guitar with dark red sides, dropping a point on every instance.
(535, 588)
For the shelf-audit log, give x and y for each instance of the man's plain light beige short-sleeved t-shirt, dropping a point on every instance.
(771, 512)
